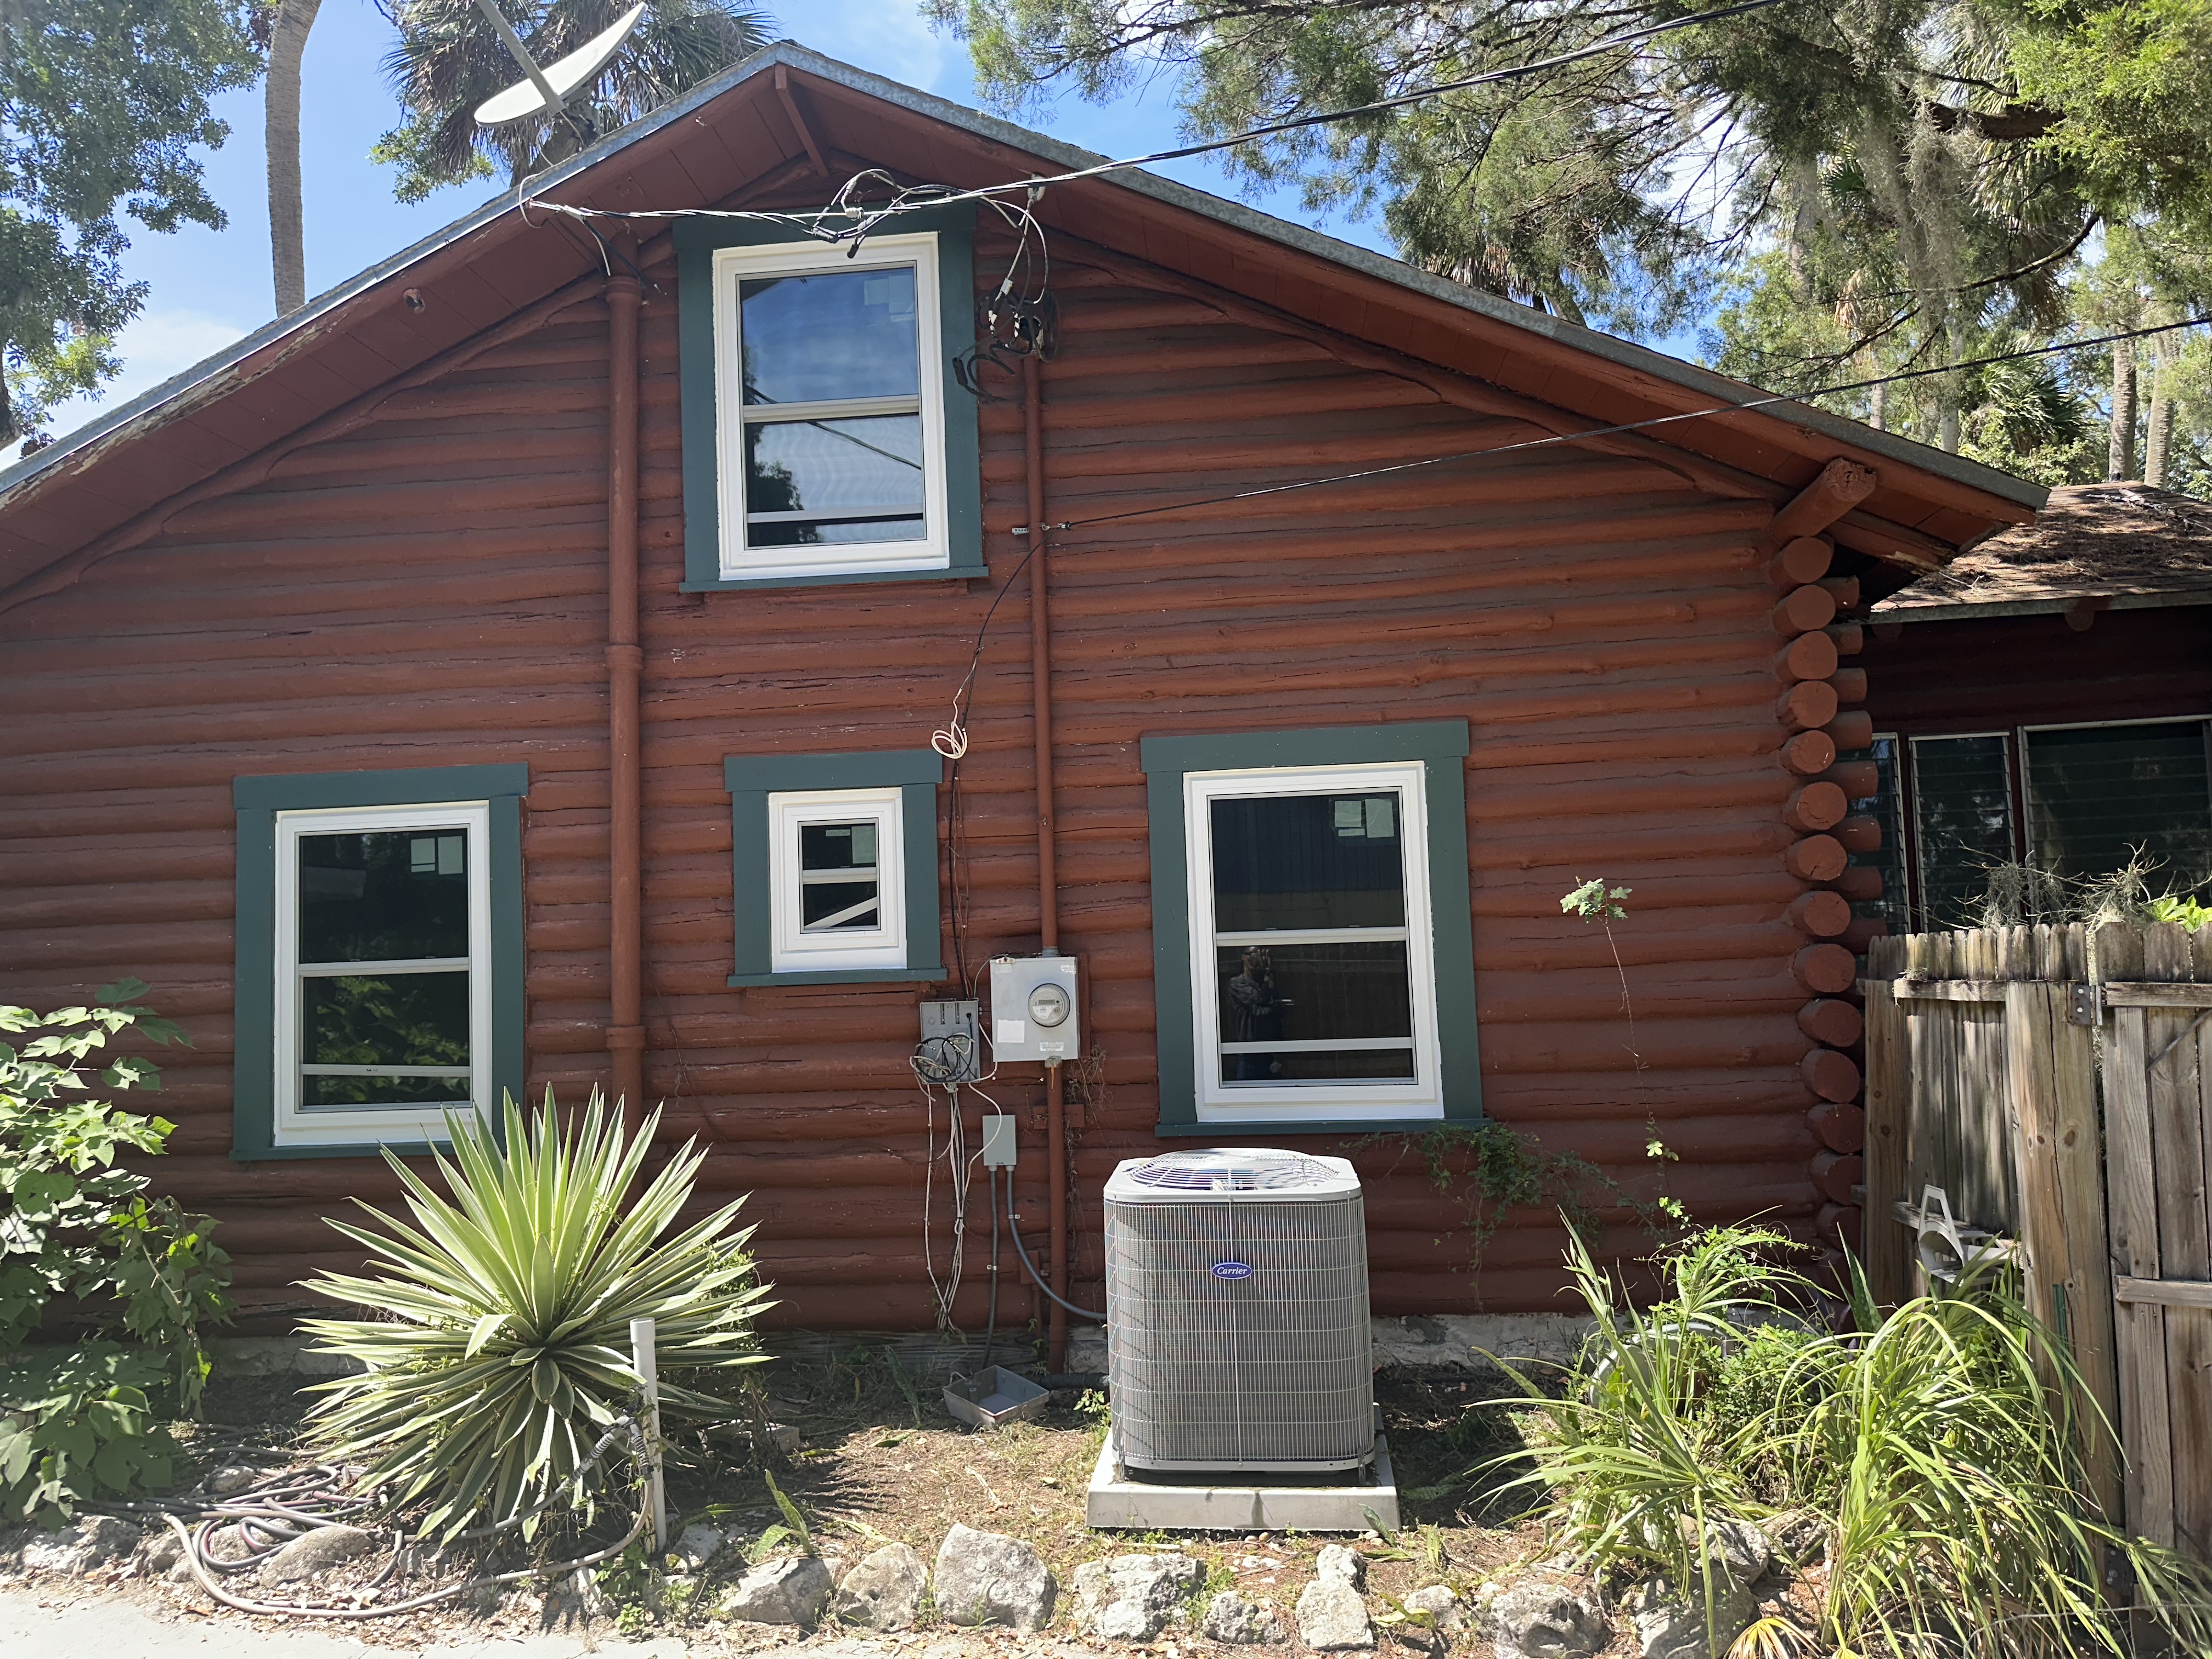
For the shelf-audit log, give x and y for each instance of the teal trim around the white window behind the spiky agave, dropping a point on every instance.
(258, 802)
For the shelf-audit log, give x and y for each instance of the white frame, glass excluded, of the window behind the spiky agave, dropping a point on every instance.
(357, 1125)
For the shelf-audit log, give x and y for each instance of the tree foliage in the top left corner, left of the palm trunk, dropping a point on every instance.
(101, 109)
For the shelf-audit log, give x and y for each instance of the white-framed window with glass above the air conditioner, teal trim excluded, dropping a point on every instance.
(1313, 952)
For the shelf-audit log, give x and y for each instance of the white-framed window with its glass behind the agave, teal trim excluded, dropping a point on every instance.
(384, 985)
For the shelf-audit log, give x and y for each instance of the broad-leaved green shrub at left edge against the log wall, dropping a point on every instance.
(83, 1419)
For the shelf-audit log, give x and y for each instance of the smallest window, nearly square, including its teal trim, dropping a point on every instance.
(835, 866)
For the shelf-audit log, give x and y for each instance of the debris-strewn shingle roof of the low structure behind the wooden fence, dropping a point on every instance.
(2129, 545)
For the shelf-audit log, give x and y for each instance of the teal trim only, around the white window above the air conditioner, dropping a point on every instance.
(1441, 747)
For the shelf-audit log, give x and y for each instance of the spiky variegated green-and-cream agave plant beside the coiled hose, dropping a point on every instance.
(501, 1339)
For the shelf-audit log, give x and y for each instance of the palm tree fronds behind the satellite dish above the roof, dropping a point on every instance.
(448, 61)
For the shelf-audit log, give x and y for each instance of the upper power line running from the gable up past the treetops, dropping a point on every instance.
(912, 200)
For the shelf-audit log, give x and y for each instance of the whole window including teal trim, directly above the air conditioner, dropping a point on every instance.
(1313, 930)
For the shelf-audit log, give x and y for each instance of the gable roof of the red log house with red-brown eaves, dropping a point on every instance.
(497, 260)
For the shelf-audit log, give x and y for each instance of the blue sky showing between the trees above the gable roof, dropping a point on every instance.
(213, 286)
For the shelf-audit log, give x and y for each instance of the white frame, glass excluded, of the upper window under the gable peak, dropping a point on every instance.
(731, 413)
